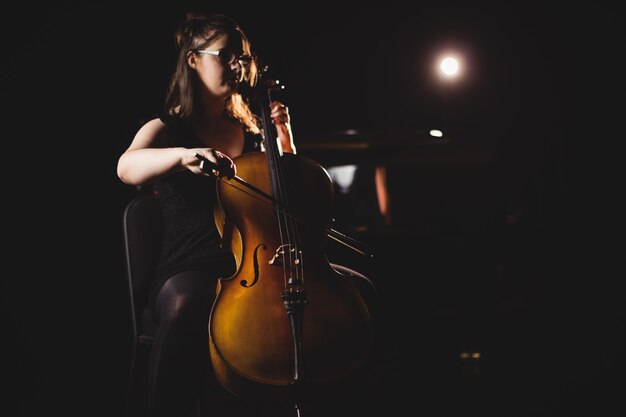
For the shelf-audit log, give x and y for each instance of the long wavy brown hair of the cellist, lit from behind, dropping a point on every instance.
(194, 31)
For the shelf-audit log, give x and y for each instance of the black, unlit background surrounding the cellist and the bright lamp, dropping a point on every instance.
(505, 237)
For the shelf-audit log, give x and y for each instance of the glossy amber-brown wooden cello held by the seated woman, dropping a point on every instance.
(286, 318)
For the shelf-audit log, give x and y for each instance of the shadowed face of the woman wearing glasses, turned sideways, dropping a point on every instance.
(219, 77)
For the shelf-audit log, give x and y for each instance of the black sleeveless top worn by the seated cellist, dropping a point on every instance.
(191, 241)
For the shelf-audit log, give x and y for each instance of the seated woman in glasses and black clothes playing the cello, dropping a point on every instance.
(204, 114)
